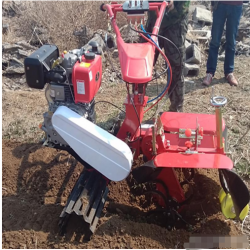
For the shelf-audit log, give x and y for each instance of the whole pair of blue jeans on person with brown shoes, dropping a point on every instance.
(230, 14)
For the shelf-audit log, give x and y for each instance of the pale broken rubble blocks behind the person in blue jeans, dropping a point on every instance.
(199, 32)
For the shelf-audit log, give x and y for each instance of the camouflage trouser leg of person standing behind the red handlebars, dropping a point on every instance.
(177, 34)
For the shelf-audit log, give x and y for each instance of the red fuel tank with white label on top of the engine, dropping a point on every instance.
(86, 79)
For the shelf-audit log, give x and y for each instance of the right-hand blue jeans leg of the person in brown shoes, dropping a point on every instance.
(233, 20)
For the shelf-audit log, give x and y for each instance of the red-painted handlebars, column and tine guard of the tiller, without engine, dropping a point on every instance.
(172, 151)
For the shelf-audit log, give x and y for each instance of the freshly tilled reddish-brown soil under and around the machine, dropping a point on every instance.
(37, 182)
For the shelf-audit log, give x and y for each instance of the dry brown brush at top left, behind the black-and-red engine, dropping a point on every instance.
(40, 22)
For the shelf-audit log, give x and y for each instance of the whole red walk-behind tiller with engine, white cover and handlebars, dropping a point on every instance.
(173, 141)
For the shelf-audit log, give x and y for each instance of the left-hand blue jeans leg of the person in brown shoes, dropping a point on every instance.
(219, 18)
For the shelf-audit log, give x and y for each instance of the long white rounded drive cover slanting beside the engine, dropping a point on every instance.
(106, 153)
